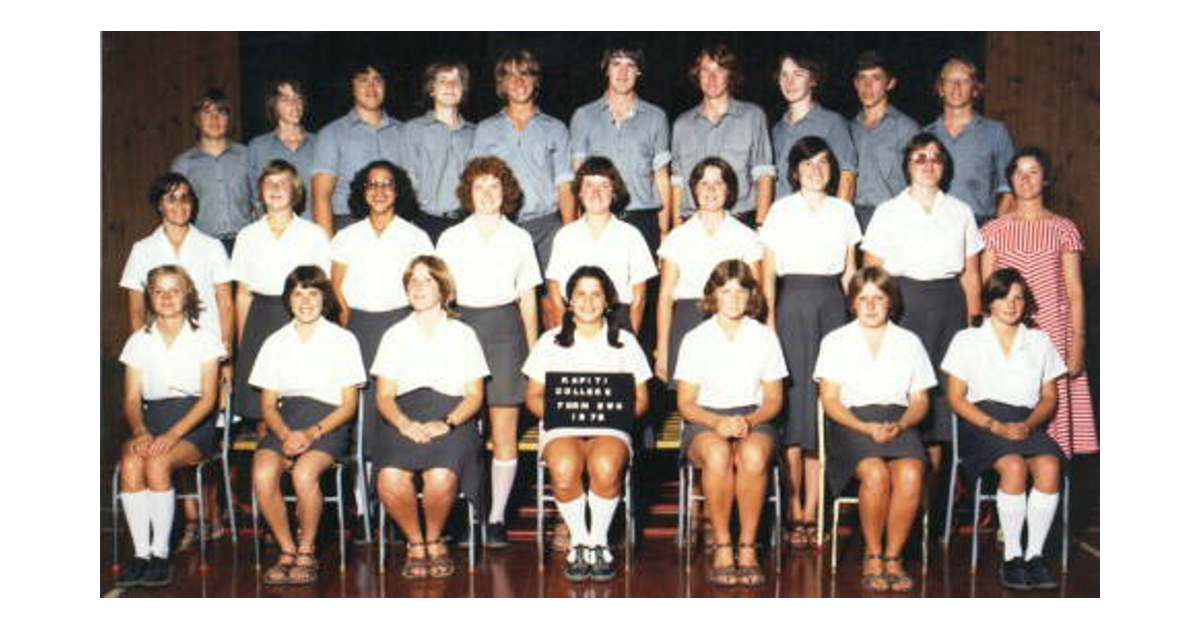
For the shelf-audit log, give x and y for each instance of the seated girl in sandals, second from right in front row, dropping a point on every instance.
(874, 379)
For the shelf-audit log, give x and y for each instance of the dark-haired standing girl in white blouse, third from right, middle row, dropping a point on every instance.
(809, 259)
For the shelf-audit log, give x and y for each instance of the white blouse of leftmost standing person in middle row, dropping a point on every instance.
(202, 256)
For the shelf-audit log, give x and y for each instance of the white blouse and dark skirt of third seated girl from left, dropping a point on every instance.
(431, 373)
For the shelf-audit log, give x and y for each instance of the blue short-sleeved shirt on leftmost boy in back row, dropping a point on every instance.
(223, 184)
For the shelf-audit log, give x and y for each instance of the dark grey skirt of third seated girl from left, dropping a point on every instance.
(458, 451)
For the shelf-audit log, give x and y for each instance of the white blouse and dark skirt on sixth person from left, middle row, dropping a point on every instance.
(697, 253)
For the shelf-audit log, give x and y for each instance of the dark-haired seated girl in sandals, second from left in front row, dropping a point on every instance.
(309, 373)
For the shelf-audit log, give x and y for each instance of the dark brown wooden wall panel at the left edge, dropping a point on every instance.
(151, 81)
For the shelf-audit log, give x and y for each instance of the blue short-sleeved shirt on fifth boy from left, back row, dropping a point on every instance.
(539, 157)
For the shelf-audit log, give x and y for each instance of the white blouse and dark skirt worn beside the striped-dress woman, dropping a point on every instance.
(927, 253)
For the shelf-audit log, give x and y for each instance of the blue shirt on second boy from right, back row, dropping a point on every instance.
(881, 157)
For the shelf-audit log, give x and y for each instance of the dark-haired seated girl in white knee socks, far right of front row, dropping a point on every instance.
(1003, 388)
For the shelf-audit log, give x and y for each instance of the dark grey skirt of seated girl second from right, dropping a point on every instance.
(847, 447)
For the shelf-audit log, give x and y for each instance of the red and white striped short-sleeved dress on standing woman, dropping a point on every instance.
(1036, 249)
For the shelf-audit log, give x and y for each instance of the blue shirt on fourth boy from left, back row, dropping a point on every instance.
(435, 155)
